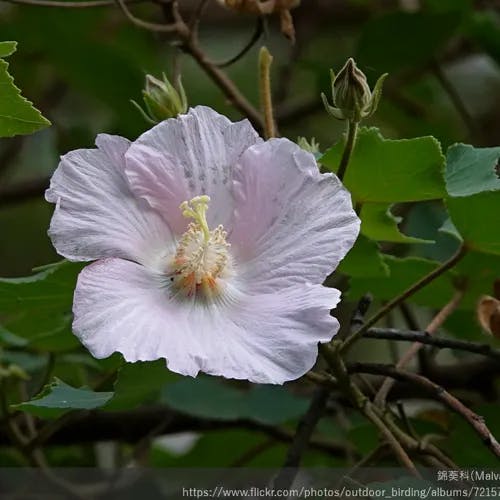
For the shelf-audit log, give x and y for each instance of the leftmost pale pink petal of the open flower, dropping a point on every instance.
(96, 214)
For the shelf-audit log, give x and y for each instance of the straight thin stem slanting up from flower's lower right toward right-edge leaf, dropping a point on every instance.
(445, 266)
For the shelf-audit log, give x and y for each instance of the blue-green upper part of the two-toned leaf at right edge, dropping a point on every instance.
(471, 170)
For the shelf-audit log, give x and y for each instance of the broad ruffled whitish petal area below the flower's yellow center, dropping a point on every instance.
(122, 306)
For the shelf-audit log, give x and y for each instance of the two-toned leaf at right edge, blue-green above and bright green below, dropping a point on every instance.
(473, 203)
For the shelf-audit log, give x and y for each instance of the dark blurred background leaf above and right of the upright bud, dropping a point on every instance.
(400, 39)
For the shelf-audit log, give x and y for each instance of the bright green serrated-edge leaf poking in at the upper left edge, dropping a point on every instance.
(17, 115)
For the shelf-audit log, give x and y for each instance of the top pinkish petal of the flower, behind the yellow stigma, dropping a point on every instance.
(187, 156)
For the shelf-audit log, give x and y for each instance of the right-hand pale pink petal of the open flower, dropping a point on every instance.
(292, 224)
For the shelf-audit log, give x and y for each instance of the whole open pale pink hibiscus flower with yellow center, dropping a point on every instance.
(210, 245)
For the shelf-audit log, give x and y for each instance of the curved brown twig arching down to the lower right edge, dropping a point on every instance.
(475, 421)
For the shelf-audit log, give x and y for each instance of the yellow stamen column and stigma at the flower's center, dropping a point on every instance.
(202, 255)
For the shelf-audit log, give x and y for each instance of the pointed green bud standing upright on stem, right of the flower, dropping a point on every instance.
(352, 98)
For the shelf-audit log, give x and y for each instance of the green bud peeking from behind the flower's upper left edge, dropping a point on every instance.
(162, 100)
